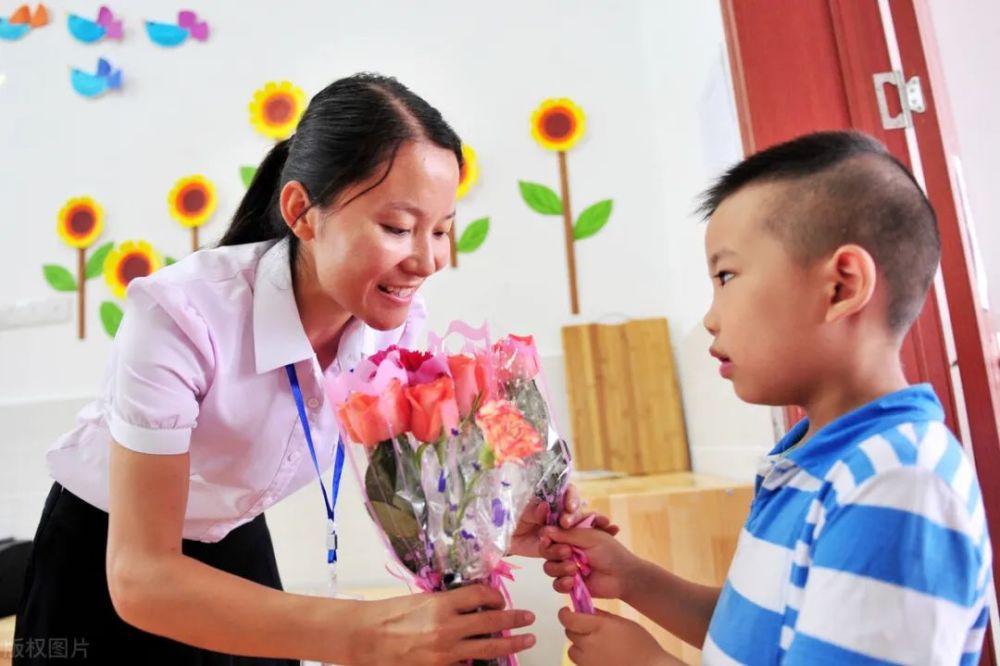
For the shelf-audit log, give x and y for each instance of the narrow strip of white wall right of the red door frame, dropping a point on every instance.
(968, 36)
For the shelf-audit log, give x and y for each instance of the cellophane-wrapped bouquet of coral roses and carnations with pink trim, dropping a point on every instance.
(449, 450)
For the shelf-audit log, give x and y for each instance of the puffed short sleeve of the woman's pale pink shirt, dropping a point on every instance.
(161, 370)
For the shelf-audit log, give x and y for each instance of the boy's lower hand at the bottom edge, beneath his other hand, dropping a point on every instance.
(604, 638)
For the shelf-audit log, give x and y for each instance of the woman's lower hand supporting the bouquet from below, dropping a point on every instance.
(440, 628)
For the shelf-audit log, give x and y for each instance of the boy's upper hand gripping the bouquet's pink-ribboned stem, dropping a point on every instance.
(612, 566)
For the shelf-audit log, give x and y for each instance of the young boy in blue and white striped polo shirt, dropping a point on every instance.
(866, 541)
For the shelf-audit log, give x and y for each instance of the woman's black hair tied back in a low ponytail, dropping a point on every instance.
(350, 129)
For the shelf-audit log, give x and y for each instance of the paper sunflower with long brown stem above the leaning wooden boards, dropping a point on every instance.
(557, 125)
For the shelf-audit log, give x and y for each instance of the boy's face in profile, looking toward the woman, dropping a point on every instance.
(767, 309)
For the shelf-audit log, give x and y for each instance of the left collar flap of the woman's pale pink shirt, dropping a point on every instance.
(278, 335)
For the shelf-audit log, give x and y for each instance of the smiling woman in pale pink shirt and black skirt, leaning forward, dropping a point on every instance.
(152, 544)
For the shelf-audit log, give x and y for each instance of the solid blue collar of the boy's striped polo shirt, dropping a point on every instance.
(832, 442)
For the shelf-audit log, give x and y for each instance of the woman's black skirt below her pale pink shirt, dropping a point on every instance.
(65, 613)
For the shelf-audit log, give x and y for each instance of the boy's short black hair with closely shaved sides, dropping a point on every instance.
(846, 188)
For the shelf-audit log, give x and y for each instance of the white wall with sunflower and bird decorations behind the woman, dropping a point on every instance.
(650, 75)
